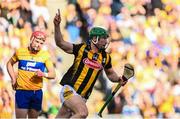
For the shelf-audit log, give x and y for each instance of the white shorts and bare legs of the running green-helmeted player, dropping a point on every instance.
(72, 101)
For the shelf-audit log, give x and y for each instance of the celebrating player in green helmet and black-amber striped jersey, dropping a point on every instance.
(90, 60)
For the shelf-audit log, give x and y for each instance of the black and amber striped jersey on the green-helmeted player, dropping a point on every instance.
(85, 69)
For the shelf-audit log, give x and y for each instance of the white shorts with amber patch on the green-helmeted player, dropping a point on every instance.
(67, 92)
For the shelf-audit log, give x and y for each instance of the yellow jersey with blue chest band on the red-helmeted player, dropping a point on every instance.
(28, 64)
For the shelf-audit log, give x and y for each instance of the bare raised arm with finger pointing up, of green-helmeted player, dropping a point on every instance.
(66, 46)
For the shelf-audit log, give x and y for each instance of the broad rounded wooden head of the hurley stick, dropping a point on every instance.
(128, 72)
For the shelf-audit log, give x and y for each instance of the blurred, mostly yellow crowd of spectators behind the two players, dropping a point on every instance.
(145, 33)
